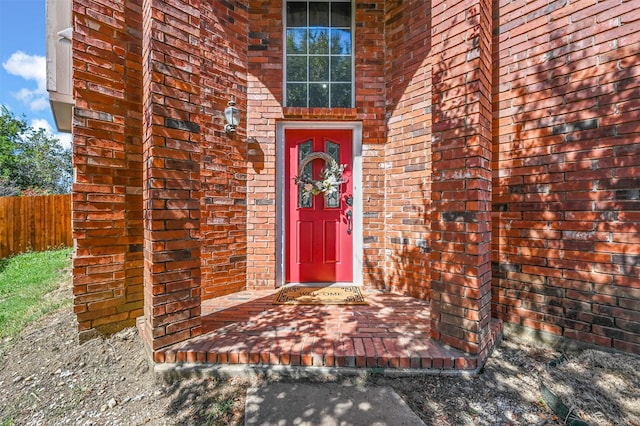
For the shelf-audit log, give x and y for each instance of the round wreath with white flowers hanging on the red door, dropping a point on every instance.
(331, 176)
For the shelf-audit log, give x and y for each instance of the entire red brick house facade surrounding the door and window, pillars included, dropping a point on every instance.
(564, 157)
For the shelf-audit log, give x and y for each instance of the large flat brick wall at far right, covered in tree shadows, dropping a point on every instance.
(566, 204)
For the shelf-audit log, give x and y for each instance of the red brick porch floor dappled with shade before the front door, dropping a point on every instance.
(392, 332)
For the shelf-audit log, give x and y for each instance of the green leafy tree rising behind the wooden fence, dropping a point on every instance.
(30, 159)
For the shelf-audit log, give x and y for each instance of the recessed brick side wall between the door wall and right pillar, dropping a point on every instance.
(408, 148)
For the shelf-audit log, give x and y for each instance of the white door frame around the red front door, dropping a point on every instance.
(356, 128)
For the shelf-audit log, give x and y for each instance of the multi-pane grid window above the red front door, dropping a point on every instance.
(319, 54)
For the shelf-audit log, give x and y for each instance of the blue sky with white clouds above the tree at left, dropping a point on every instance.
(23, 64)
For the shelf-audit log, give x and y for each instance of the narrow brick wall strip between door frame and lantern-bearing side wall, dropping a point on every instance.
(264, 97)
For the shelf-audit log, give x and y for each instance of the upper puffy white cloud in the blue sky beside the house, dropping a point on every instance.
(30, 67)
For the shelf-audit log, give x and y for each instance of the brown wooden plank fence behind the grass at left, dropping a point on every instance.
(34, 223)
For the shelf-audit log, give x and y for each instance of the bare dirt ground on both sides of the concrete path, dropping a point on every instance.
(47, 378)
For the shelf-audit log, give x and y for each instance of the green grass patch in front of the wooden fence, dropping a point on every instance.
(25, 279)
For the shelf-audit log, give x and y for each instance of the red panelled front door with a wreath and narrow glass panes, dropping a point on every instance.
(319, 228)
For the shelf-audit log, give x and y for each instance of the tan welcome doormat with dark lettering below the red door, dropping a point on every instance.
(303, 295)
